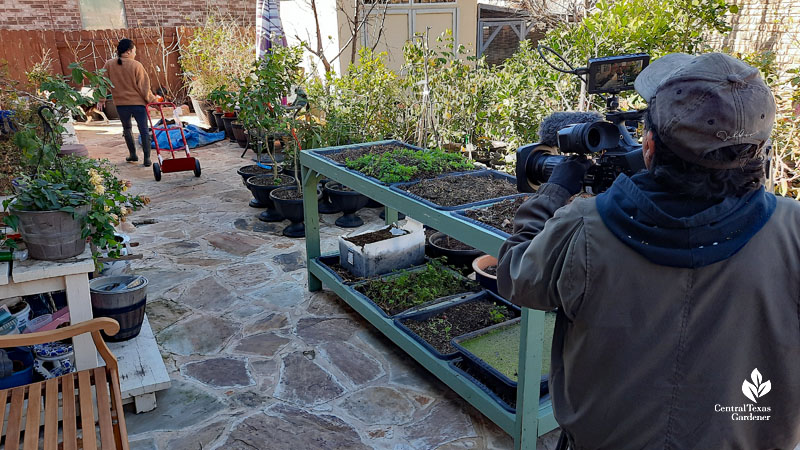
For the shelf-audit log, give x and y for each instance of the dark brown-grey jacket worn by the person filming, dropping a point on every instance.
(648, 356)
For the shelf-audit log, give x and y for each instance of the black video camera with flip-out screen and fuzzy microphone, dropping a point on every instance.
(608, 142)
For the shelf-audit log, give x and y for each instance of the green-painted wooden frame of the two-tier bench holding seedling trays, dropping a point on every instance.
(533, 417)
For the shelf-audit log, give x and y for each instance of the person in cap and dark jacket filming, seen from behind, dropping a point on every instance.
(678, 288)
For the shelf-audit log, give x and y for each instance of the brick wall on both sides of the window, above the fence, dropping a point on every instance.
(65, 15)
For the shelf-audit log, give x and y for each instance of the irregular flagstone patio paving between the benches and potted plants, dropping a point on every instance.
(256, 361)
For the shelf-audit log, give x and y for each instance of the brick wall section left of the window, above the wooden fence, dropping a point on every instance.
(40, 15)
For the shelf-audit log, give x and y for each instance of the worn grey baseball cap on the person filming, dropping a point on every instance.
(699, 104)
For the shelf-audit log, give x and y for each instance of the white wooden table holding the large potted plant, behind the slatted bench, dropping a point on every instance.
(33, 276)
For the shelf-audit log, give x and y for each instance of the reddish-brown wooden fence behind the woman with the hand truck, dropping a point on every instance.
(157, 49)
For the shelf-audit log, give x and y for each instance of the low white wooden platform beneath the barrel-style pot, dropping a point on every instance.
(141, 367)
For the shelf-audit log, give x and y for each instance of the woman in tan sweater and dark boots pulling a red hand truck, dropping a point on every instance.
(131, 92)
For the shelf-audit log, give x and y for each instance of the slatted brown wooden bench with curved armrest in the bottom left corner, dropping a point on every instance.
(83, 395)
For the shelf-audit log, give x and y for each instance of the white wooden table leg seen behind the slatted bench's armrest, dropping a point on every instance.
(80, 310)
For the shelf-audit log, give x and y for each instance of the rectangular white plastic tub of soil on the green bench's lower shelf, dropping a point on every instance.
(404, 250)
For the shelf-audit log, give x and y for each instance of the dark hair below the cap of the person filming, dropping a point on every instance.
(697, 181)
